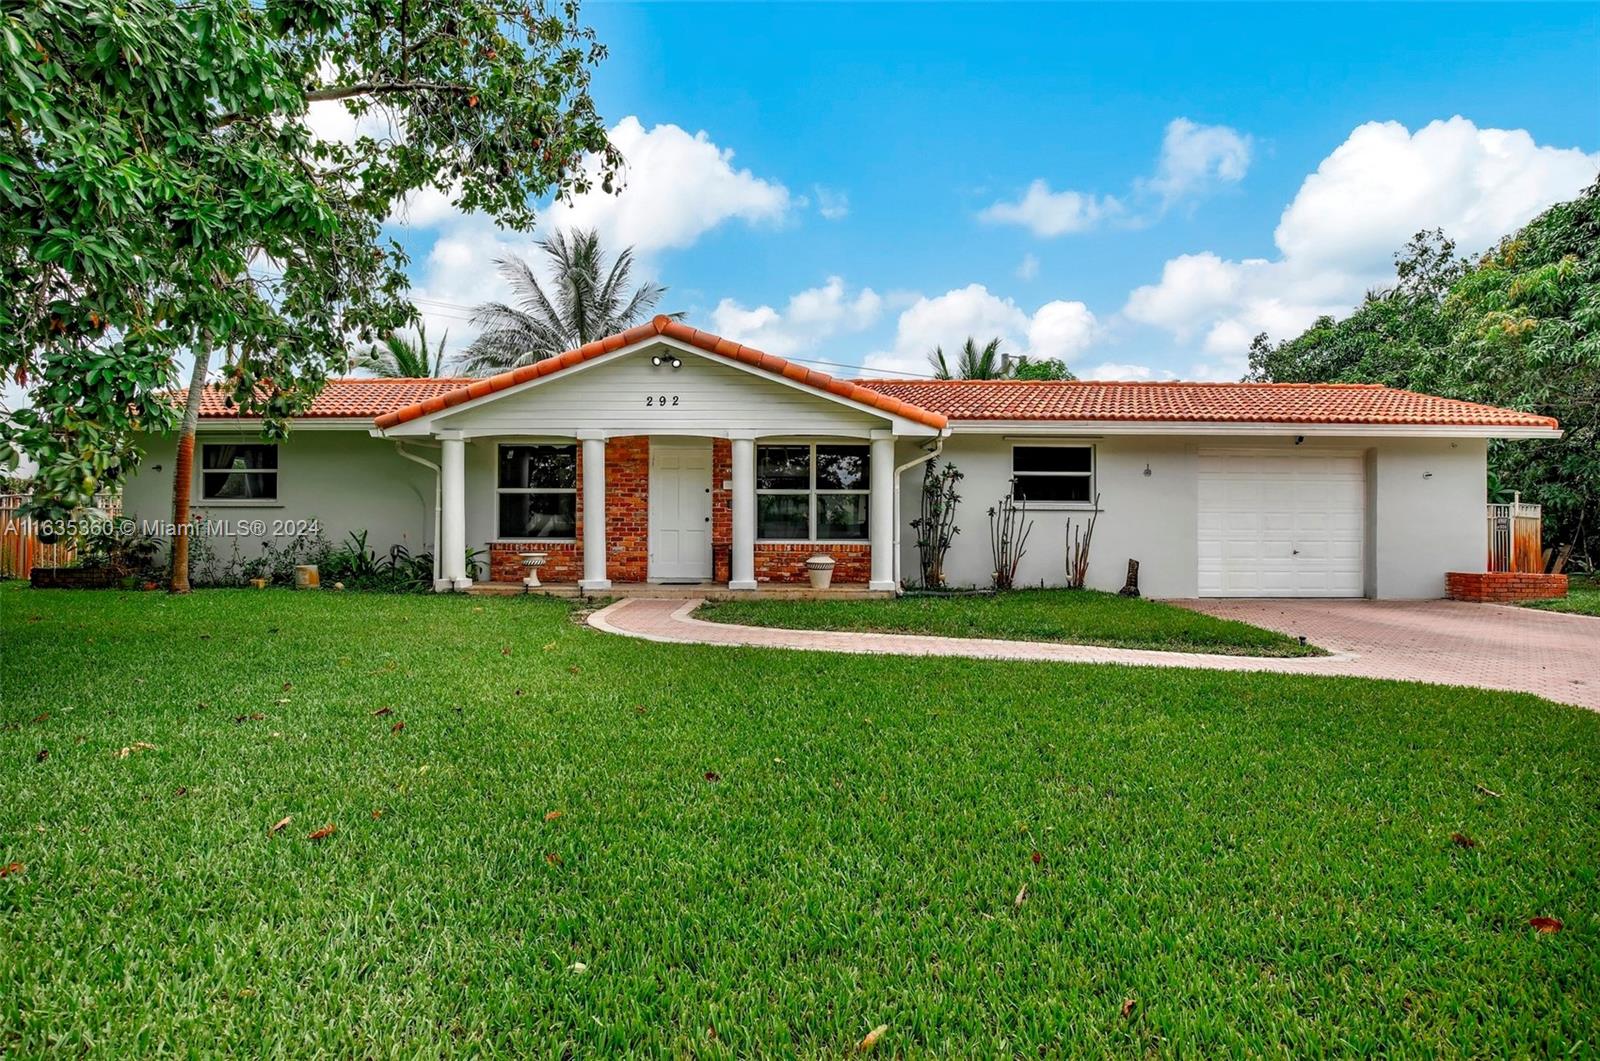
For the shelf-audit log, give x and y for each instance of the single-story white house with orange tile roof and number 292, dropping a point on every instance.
(718, 463)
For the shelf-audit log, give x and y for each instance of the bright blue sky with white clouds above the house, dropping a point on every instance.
(852, 183)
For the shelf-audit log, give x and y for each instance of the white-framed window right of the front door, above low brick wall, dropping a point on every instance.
(812, 492)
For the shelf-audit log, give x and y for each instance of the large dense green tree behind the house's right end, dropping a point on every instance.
(1518, 327)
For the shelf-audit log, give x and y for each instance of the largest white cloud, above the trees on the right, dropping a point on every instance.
(1338, 236)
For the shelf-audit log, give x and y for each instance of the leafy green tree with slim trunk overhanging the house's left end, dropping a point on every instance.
(167, 194)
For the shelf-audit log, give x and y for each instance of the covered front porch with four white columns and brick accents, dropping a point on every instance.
(695, 514)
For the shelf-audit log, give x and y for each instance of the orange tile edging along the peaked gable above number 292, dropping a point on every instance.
(682, 334)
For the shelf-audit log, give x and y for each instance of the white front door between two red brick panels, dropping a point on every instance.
(679, 510)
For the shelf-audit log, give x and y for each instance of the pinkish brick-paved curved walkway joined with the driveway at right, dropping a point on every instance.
(1434, 641)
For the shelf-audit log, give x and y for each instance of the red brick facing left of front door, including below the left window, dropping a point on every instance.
(626, 526)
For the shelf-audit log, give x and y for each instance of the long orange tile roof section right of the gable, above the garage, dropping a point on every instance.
(1198, 402)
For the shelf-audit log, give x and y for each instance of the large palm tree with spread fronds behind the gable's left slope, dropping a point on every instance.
(586, 302)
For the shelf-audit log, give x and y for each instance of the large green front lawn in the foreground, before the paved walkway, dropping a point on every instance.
(758, 852)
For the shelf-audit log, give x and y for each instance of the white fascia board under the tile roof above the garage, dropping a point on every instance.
(1222, 428)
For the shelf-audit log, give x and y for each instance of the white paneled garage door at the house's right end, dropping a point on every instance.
(1282, 524)
